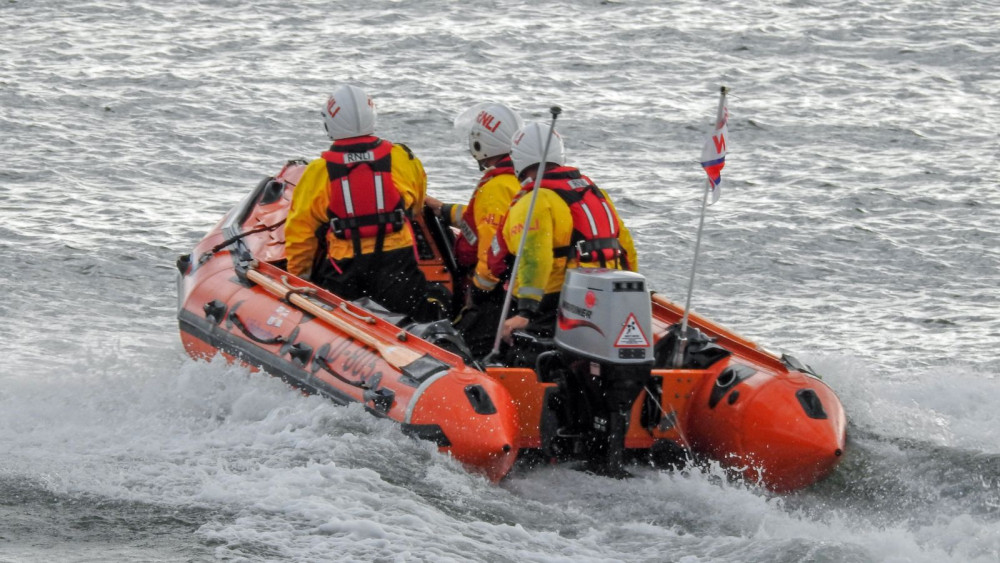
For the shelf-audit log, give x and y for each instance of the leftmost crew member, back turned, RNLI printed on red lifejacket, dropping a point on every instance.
(348, 228)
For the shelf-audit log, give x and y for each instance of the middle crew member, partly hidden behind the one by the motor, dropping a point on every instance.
(490, 131)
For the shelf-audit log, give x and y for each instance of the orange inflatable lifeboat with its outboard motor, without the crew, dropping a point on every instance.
(617, 383)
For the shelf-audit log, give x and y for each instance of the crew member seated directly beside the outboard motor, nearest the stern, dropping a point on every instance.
(574, 224)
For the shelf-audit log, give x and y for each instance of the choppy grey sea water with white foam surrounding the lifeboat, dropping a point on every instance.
(859, 228)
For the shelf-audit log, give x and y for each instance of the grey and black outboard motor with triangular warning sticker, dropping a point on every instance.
(604, 334)
